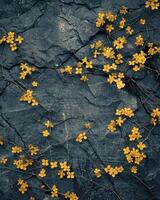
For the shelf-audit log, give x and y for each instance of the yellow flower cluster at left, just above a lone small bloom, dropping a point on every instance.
(26, 70)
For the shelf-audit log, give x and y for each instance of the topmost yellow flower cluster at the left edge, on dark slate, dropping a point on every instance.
(12, 40)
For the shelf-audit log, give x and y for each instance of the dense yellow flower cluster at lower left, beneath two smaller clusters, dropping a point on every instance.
(23, 163)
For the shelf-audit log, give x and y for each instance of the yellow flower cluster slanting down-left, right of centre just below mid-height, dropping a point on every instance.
(119, 121)
